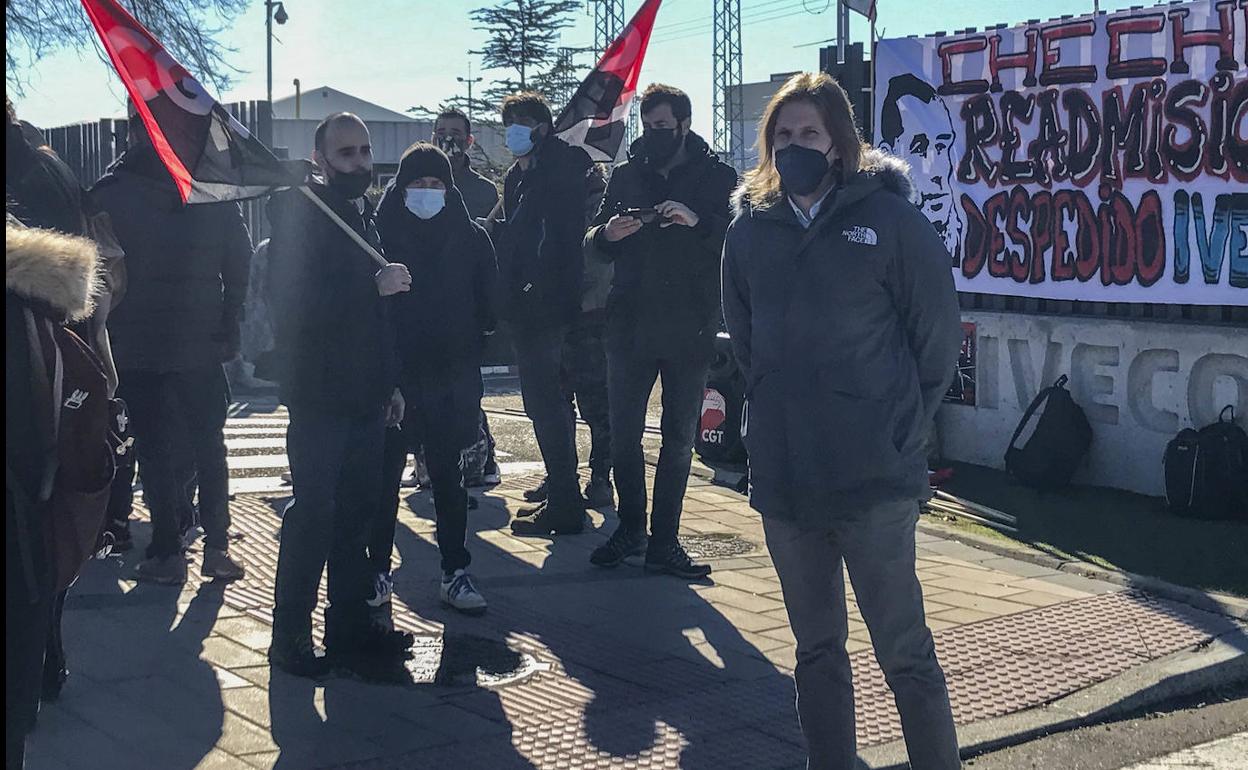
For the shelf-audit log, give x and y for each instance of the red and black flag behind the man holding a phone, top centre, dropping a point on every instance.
(597, 115)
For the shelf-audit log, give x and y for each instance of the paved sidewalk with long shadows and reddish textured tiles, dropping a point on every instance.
(573, 667)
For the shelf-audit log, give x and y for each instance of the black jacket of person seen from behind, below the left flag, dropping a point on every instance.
(187, 270)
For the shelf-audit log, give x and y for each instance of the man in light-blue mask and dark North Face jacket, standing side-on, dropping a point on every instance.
(550, 197)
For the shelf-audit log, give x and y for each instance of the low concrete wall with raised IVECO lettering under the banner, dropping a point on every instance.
(1140, 383)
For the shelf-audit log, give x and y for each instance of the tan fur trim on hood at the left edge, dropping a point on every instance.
(53, 269)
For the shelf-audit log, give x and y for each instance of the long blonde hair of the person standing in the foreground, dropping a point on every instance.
(762, 184)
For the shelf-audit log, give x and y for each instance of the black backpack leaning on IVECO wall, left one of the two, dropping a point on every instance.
(1059, 444)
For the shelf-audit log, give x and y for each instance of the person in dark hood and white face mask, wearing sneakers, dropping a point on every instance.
(441, 328)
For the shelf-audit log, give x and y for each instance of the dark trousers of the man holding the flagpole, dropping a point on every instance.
(336, 471)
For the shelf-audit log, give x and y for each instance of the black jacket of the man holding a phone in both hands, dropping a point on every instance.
(665, 300)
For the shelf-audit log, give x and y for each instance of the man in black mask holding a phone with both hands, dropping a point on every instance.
(662, 224)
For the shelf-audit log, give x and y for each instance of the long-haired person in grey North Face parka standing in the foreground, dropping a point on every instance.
(841, 301)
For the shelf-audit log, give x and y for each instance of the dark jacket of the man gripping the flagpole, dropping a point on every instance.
(335, 344)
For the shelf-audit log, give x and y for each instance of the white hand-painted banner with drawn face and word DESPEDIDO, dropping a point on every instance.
(1101, 159)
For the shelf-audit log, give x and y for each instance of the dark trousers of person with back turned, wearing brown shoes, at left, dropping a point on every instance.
(177, 416)
